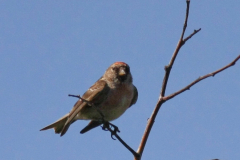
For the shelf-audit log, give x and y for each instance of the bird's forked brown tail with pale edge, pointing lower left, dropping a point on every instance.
(58, 125)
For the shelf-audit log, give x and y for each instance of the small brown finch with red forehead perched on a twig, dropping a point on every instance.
(111, 96)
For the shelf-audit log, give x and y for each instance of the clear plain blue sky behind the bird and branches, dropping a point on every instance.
(49, 49)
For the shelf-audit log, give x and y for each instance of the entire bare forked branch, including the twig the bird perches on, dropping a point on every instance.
(162, 98)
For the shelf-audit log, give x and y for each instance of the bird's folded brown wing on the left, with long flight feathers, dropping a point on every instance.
(96, 94)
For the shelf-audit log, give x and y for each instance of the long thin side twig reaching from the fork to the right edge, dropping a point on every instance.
(166, 98)
